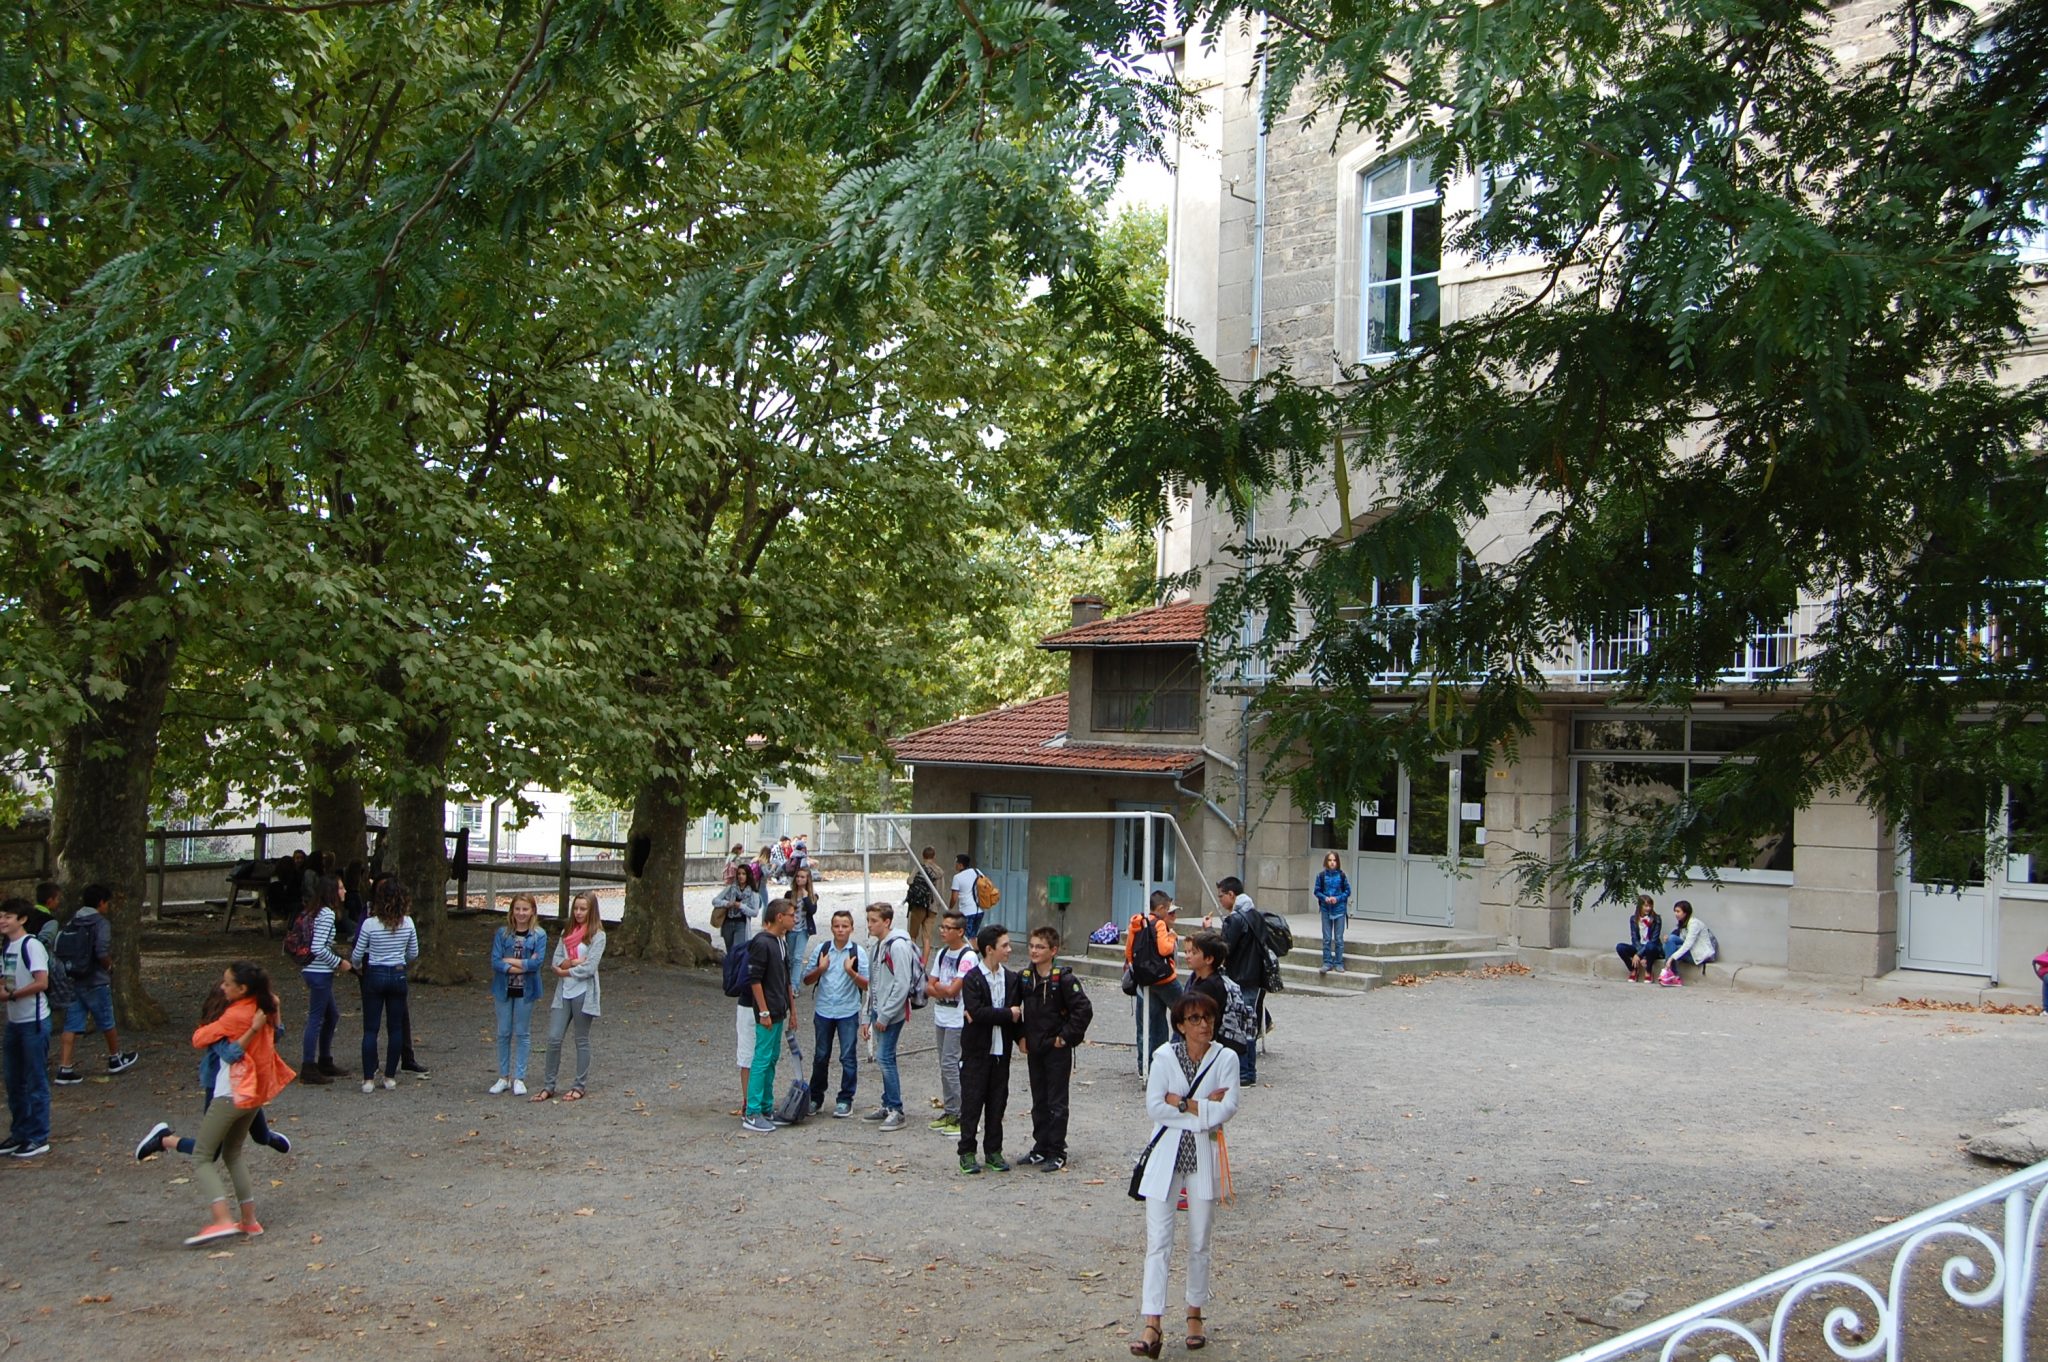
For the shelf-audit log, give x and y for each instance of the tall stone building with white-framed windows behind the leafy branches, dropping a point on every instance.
(1289, 249)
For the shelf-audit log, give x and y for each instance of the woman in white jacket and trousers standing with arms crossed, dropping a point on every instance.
(1191, 1093)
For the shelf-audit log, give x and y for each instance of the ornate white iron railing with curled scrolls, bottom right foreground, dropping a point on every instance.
(1992, 1244)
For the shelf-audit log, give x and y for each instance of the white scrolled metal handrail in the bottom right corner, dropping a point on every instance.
(1979, 1273)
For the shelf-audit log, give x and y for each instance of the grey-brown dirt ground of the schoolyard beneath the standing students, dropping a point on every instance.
(1457, 1171)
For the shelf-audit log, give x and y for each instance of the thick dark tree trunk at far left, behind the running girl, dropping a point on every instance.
(99, 824)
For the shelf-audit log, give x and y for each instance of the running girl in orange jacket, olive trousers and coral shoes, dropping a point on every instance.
(247, 1087)
